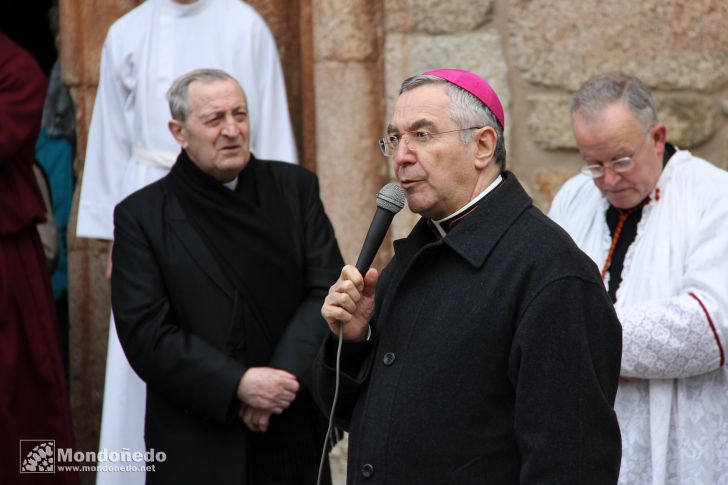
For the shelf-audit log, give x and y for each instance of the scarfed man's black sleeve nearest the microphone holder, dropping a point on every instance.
(297, 348)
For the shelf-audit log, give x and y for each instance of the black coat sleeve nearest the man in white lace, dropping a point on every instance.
(564, 367)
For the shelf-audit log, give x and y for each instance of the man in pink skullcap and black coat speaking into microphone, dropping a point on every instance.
(487, 351)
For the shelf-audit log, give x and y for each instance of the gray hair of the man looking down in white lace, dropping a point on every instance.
(606, 89)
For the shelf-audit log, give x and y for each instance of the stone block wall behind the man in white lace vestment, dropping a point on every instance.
(678, 48)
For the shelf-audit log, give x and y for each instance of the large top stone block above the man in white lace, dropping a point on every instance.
(667, 43)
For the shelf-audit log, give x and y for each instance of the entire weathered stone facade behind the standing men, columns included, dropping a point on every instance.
(344, 61)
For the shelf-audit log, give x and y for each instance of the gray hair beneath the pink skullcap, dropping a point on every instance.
(466, 111)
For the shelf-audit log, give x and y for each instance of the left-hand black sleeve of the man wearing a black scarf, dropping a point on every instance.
(175, 363)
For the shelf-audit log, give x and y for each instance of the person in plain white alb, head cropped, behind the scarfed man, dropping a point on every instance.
(129, 145)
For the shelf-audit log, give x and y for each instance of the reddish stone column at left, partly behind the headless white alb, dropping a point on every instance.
(83, 29)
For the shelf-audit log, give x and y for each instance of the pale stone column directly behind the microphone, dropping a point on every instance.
(349, 96)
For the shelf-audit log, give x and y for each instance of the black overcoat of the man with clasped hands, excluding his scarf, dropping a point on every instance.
(175, 310)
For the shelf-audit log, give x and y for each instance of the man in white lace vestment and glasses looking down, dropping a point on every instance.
(654, 218)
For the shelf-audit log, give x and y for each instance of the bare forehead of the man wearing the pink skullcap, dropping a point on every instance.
(423, 107)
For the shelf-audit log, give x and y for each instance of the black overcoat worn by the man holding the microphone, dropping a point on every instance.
(494, 358)
